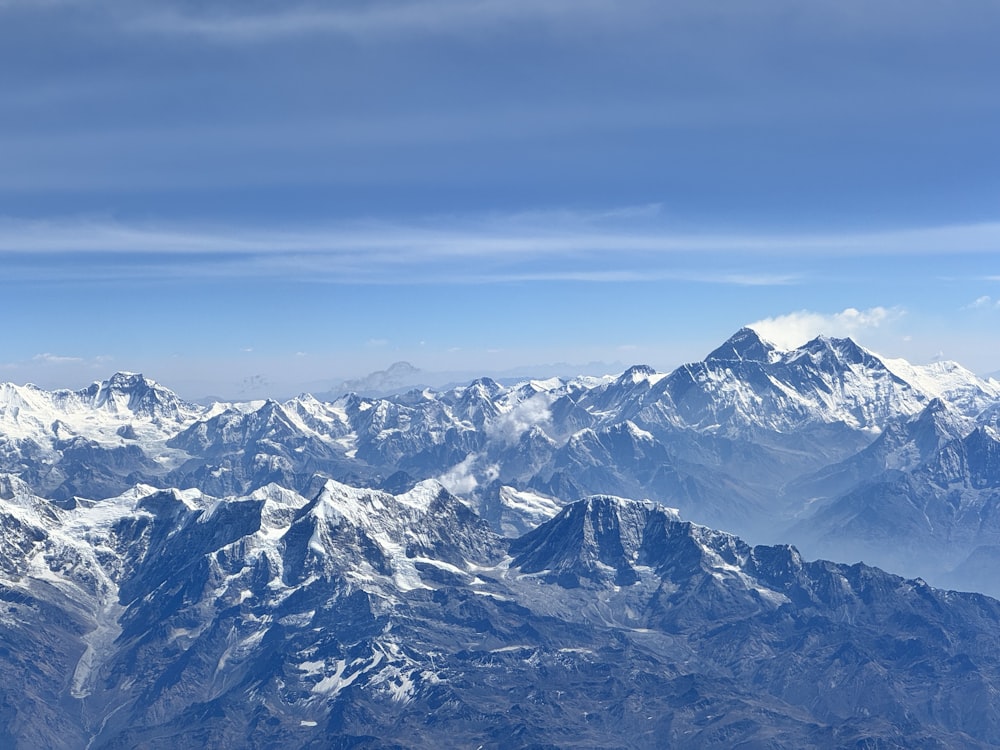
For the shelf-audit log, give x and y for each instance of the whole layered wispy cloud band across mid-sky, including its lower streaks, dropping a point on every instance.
(619, 246)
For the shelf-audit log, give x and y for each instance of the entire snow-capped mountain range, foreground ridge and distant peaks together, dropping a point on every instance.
(459, 567)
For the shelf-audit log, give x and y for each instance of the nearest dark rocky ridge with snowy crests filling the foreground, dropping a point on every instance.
(358, 618)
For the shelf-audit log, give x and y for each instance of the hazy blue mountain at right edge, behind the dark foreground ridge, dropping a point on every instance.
(931, 502)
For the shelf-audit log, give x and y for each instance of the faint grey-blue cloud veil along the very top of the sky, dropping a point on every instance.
(246, 22)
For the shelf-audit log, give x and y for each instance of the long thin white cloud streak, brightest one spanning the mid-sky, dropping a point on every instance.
(573, 235)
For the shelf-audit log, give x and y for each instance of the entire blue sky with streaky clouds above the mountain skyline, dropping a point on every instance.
(289, 194)
